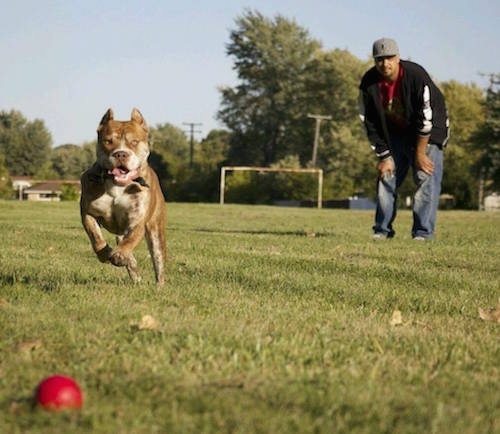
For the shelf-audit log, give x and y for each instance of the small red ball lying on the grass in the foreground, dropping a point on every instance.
(59, 393)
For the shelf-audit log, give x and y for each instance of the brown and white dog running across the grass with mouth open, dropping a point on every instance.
(121, 193)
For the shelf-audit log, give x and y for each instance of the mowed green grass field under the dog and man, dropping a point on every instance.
(272, 320)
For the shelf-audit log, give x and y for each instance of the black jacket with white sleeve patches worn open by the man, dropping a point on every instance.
(424, 107)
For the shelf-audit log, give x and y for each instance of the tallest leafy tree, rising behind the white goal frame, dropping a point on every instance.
(264, 109)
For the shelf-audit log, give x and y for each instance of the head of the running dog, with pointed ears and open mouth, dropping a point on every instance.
(122, 146)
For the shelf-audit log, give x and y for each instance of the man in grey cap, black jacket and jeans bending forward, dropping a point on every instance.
(405, 117)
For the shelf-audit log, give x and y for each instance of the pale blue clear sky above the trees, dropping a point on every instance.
(67, 61)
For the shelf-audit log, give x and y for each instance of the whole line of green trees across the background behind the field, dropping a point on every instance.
(284, 76)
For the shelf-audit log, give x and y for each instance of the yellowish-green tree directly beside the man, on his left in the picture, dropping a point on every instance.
(344, 152)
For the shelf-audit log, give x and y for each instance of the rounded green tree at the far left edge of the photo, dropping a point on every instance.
(26, 145)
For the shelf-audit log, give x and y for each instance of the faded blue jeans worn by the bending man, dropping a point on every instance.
(426, 200)
